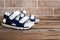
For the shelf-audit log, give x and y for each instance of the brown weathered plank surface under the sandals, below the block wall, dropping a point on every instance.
(46, 29)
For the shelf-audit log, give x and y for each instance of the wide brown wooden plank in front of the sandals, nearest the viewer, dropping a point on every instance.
(32, 34)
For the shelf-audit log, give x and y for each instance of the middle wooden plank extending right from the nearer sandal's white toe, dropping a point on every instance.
(48, 24)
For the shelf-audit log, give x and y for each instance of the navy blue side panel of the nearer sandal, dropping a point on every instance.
(9, 22)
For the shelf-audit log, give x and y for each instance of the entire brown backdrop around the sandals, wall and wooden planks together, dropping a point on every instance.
(48, 11)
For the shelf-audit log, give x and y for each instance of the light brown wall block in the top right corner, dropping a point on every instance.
(48, 3)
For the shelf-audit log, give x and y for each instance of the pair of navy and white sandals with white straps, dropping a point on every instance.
(19, 20)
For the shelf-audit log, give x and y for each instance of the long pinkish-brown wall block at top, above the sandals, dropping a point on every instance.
(21, 3)
